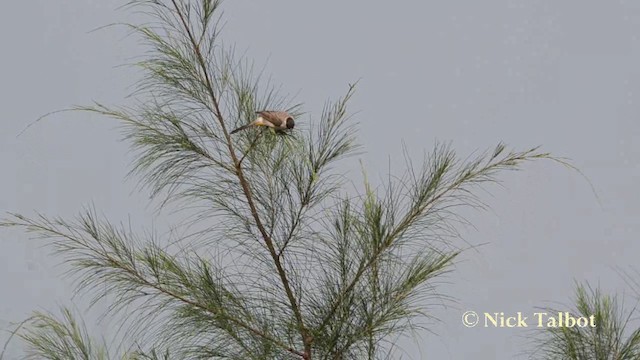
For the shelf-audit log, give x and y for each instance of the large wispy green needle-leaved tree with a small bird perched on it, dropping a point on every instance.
(295, 267)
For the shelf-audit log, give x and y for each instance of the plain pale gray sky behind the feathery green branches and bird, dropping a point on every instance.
(561, 74)
